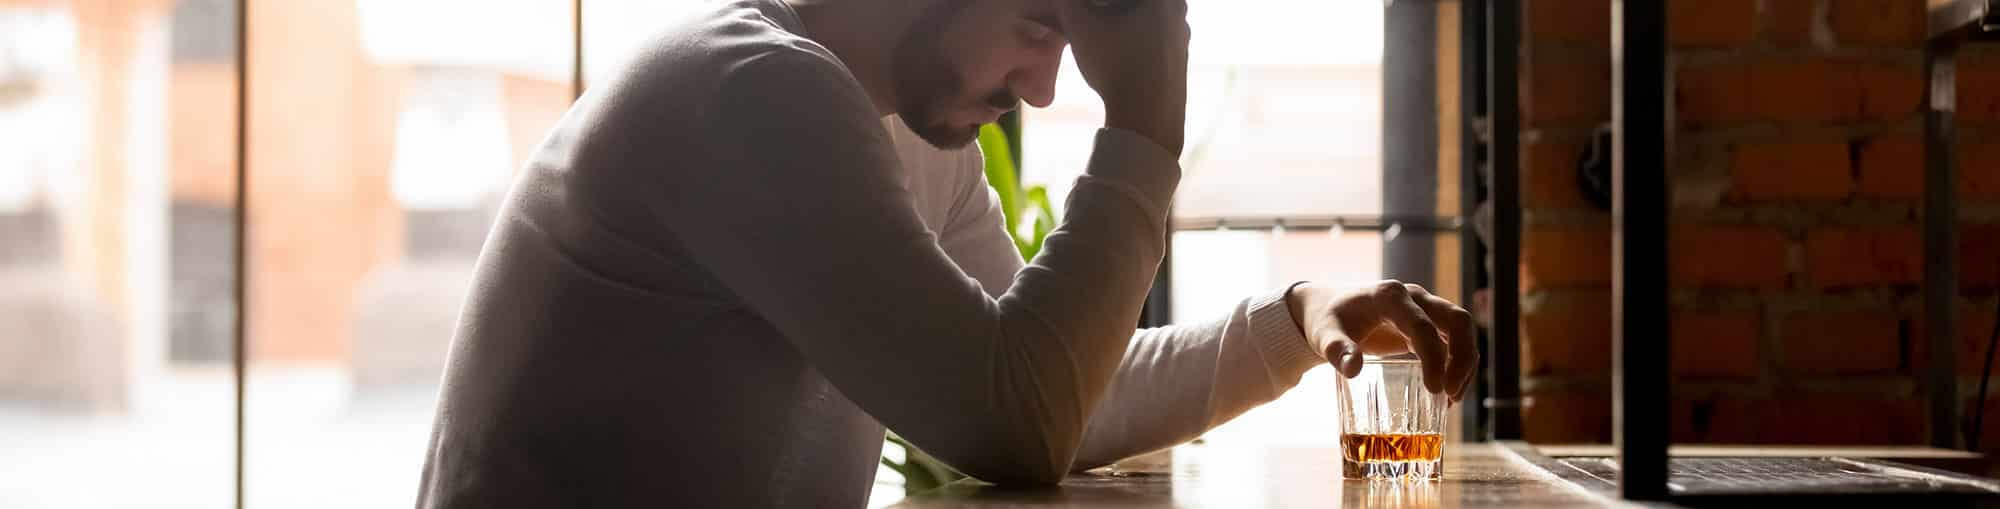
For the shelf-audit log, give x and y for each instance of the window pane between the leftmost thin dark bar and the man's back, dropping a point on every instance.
(381, 145)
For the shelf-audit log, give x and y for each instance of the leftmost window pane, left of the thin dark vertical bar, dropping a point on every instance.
(117, 201)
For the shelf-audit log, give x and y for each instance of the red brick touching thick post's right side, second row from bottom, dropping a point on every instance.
(1717, 346)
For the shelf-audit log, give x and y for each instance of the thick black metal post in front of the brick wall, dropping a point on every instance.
(1639, 249)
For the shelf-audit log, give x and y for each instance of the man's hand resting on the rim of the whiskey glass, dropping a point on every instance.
(1389, 320)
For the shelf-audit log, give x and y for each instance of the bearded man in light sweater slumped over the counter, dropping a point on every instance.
(735, 264)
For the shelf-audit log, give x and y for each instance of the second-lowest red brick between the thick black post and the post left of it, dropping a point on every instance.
(1567, 334)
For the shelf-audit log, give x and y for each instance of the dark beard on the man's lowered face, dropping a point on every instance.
(927, 83)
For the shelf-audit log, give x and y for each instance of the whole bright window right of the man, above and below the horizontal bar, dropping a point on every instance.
(1285, 125)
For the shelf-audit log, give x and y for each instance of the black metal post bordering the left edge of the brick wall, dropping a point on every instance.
(1503, 99)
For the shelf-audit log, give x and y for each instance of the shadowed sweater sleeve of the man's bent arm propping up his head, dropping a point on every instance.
(799, 209)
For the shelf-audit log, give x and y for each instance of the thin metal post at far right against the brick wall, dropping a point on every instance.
(1941, 241)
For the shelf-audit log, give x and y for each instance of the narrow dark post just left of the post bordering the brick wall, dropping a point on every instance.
(1471, 155)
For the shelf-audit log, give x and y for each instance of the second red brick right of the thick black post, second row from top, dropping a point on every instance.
(1809, 93)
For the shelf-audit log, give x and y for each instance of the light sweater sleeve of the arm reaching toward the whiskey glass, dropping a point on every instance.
(1173, 384)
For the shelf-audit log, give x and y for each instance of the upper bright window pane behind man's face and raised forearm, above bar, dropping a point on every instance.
(1283, 113)
